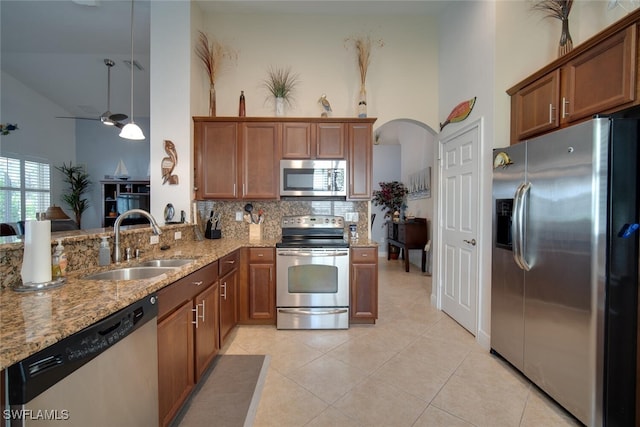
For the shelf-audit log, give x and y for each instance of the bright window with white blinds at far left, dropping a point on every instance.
(24, 188)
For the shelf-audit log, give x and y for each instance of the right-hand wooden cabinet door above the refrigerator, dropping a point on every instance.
(601, 78)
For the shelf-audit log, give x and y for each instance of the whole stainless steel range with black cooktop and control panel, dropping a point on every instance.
(312, 273)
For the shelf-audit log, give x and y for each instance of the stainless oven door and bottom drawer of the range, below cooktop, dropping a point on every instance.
(312, 288)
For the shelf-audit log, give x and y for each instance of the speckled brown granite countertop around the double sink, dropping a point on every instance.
(32, 321)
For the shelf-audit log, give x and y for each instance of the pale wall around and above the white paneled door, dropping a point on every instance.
(467, 69)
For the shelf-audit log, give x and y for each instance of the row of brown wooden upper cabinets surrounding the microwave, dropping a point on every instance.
(239, 157)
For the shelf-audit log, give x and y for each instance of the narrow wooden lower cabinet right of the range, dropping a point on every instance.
(364, 285)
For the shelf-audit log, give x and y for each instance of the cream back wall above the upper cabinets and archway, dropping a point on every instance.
(402, 77)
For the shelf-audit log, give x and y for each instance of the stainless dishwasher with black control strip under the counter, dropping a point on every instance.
(104, 375)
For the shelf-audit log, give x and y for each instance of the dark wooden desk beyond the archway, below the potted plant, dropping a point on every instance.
(408, 235)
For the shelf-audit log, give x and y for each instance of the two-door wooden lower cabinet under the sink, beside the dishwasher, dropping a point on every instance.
(185, 349)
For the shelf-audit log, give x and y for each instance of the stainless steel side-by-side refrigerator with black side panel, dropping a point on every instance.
(565, 265)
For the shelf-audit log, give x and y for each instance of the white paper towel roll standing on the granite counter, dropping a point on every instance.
(36, 262)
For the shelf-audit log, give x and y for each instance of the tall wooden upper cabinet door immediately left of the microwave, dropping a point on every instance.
(260, 160)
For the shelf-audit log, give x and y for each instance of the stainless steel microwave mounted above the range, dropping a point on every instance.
(313, 178)
